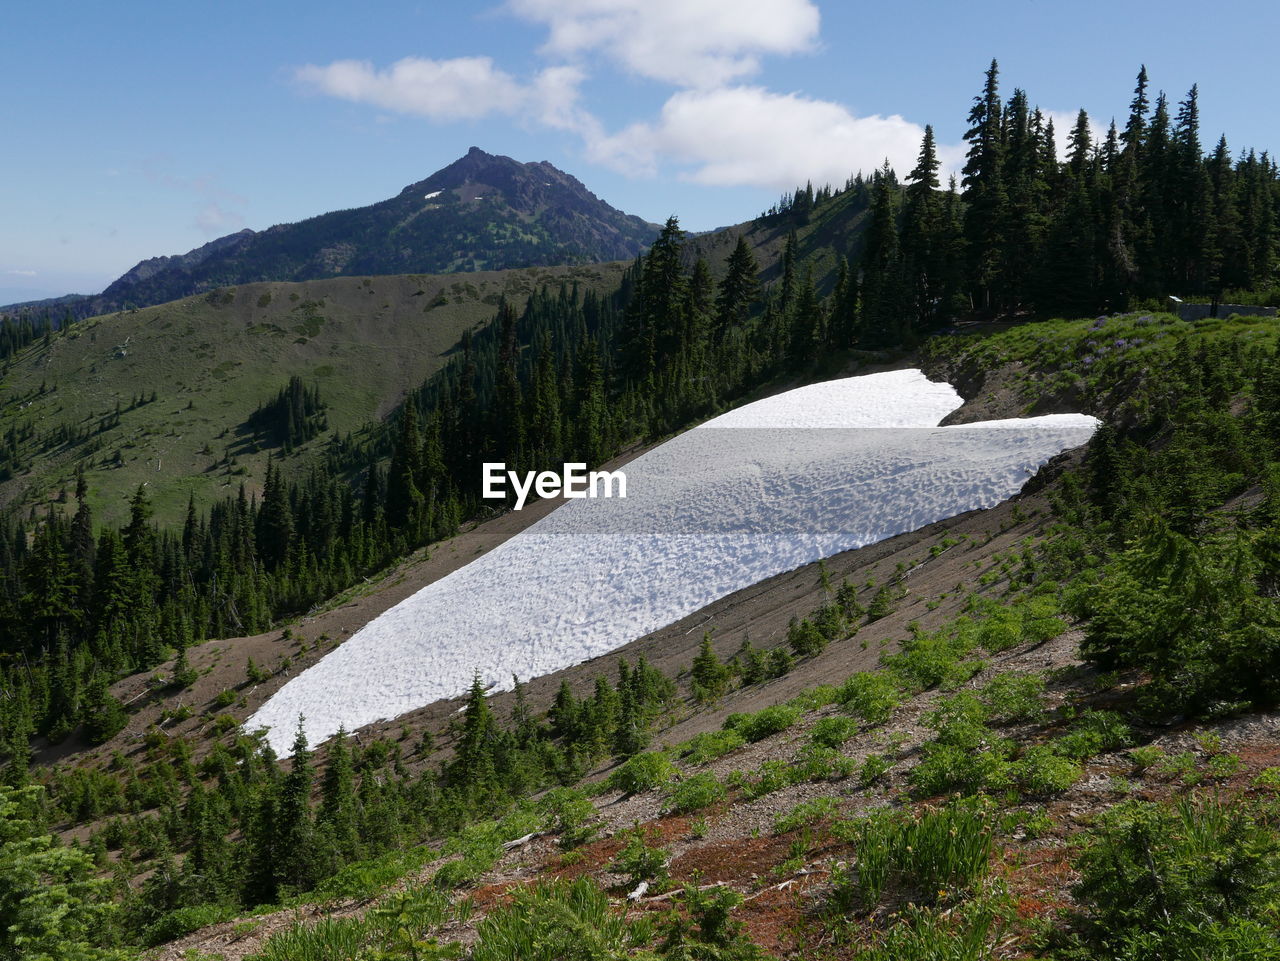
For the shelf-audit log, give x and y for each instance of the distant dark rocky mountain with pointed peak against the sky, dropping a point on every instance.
(481, 213)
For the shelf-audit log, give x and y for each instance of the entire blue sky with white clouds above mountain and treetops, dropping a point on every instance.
(135, 130)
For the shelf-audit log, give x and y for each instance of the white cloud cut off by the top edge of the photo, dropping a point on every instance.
(684, 43)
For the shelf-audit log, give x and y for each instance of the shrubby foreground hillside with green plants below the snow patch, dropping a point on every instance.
(985, 782)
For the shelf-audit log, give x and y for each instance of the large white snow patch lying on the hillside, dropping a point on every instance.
(757, 492)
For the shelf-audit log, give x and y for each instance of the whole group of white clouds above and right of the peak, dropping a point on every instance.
(712, 131)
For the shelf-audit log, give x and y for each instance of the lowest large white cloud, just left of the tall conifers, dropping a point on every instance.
(751, 136)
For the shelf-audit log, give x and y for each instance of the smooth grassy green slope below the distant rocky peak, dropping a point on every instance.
(212, 360)
